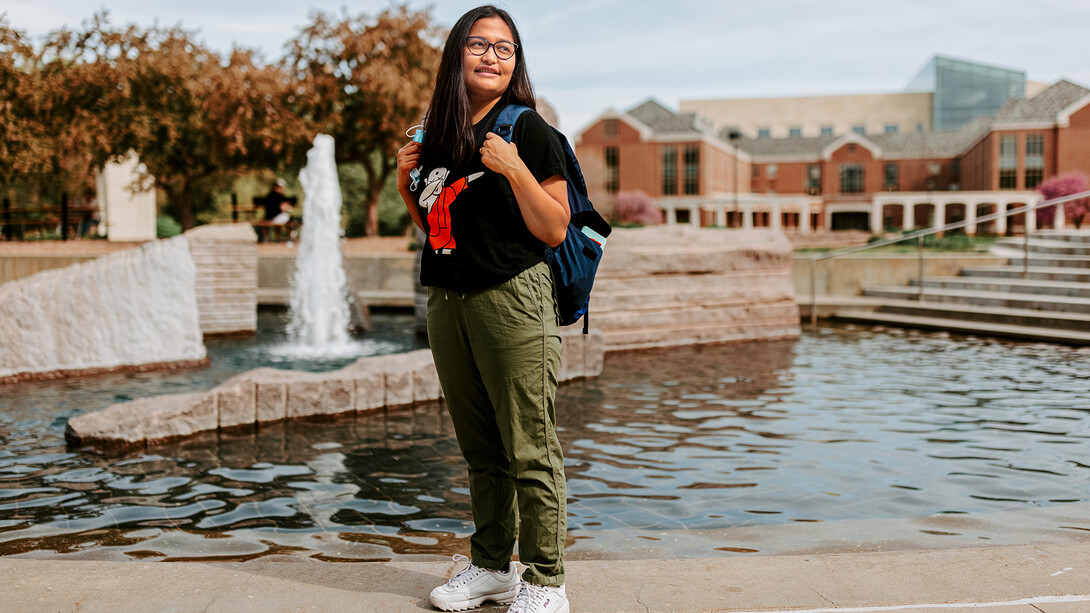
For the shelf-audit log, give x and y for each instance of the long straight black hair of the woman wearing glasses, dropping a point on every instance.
(449, 126)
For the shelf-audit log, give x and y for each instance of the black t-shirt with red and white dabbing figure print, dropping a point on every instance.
(477, 237)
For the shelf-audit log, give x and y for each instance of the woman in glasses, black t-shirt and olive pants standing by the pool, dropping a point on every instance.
(490, 210)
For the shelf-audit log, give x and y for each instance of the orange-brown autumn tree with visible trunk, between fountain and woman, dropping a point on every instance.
(366, 82)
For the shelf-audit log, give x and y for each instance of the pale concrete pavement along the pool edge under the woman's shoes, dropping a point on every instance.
(1053, 579)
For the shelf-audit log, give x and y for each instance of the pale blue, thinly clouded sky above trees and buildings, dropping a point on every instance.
(589, 56)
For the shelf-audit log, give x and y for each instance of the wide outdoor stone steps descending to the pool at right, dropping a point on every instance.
(1051, 304)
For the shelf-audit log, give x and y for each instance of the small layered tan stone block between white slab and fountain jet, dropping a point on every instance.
(226, 261)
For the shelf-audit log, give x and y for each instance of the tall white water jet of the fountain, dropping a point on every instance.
(320, 308)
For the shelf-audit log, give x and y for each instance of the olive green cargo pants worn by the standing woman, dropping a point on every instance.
(498, 353)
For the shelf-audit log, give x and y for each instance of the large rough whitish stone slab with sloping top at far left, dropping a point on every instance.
(134, 309)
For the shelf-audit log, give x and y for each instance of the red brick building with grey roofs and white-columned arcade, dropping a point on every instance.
(898, 181)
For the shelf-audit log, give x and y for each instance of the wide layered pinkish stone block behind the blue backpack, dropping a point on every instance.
(672, 286)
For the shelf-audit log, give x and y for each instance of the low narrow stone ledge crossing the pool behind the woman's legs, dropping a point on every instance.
(268, 395)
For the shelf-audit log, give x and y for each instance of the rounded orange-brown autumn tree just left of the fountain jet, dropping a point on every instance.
(198, 119)
